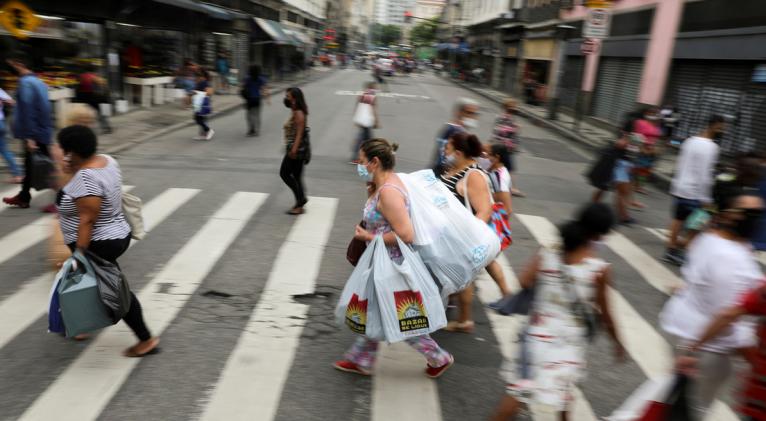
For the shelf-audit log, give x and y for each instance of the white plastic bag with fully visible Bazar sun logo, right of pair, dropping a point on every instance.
(407, 297)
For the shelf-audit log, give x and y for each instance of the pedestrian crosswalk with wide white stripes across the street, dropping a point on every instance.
(252, 382)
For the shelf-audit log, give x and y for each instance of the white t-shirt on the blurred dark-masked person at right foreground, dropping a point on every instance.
(717, 273)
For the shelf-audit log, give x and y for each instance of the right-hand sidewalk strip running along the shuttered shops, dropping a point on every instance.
(591, 136)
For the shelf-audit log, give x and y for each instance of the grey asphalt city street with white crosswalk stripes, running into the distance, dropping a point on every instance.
(242, 295)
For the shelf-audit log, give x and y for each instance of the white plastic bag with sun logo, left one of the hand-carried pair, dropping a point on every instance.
(357, 307)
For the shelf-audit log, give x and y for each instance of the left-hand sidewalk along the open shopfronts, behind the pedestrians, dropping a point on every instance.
(142, 124)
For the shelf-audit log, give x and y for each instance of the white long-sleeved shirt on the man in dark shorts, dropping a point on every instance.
(694, 170)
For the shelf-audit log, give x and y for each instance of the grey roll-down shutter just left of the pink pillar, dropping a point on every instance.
(617, 88)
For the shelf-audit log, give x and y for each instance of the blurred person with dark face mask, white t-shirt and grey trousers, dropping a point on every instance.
(719, 269)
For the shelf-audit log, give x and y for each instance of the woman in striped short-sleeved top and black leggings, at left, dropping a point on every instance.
(90, 210)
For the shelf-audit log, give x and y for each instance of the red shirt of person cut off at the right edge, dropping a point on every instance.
(754, 391)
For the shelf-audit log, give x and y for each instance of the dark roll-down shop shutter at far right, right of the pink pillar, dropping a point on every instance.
(700, 89)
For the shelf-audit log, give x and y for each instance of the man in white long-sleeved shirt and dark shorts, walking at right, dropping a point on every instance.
(692, 182)
